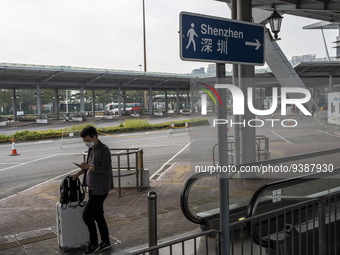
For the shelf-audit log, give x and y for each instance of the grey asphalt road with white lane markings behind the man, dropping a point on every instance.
(44, 160)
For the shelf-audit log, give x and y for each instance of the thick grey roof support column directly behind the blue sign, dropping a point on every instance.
(246, 80)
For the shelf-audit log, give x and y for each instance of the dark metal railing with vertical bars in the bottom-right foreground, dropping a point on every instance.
(309, 227)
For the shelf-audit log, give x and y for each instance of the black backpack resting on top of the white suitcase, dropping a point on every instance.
(71, 191)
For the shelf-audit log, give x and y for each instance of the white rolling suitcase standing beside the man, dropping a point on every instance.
(71, 229)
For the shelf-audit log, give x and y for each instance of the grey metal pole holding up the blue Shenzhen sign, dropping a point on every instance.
(223, 161)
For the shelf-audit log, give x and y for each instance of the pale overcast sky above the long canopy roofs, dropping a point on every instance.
(109, 33)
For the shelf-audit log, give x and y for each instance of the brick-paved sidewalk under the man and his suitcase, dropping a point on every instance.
(28, 219)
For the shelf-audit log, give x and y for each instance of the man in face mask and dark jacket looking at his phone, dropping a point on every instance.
(98, 178)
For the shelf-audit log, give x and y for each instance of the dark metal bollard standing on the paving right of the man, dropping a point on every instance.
(152, 219)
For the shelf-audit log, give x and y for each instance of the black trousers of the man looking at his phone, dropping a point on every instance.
(94, 211)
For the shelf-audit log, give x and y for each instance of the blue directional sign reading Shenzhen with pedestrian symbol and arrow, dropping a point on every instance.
(212, 39)
